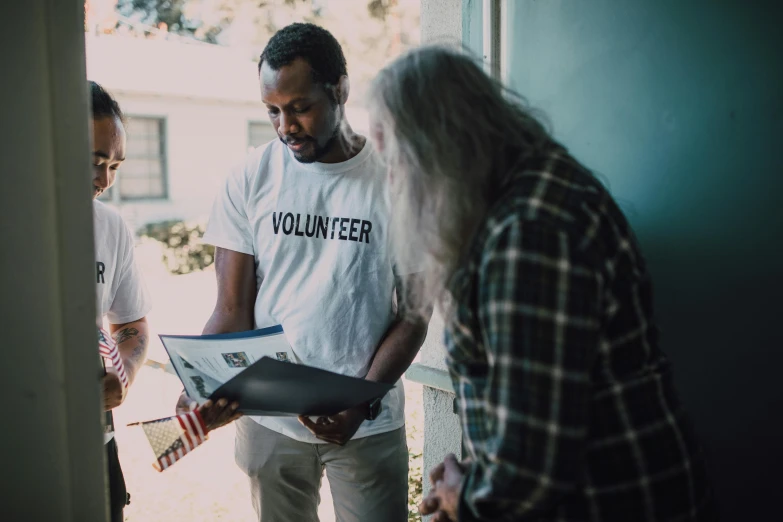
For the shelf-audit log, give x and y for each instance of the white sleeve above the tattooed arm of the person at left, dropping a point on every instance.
(131, 300)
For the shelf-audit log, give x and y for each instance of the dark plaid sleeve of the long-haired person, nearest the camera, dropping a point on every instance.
(538, 308)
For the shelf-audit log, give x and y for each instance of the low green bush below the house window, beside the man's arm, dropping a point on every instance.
(183, 250)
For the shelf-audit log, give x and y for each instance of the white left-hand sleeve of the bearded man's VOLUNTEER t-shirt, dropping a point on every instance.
(228, 225)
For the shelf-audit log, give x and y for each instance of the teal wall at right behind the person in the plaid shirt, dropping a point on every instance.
(677, 105)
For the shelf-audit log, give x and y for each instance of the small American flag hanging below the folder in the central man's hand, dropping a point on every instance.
(174, 437)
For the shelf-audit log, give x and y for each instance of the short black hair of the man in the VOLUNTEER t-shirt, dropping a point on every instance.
(314, 44)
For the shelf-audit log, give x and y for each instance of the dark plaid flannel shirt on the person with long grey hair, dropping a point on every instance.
(567, 404)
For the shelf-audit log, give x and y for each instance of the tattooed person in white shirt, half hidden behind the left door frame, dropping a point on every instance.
(121, 296)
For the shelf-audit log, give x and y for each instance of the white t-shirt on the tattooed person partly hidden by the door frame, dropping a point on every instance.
(121, 295)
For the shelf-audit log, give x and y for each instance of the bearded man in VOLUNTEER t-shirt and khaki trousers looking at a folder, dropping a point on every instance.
(301, 235)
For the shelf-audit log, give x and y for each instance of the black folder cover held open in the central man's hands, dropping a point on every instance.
(275, 388)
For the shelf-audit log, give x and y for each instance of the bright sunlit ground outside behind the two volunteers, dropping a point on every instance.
(206, 485)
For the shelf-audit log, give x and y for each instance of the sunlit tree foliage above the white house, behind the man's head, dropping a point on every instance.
(370, 31)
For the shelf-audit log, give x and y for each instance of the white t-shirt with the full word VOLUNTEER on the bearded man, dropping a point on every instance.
(319, 235)
